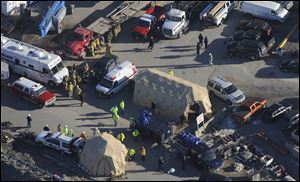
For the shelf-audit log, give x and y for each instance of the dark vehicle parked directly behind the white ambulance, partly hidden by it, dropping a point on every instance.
(103, 66)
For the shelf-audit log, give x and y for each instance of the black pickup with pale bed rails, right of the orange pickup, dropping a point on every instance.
(275, 111)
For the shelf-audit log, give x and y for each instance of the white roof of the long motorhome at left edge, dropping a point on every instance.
(26, 50)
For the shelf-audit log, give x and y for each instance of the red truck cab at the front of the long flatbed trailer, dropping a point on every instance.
(79, 39)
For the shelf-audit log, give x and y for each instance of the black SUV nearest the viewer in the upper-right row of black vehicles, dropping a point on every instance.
(251, 49)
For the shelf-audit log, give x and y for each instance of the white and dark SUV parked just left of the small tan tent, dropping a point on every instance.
(59, 141)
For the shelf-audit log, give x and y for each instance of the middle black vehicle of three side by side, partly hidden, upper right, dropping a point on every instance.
(253, 34)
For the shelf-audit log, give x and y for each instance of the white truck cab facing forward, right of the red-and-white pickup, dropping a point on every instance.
(175, 24)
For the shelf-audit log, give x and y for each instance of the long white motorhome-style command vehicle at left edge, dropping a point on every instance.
(33, 62)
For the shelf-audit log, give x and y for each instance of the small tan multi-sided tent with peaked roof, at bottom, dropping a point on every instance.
(103, 154)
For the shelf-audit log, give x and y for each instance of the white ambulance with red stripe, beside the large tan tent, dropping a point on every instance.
(116, 79)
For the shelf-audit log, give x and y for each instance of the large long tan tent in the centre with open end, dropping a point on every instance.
(171, 95)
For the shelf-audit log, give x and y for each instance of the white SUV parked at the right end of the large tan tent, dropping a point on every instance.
(218, 86)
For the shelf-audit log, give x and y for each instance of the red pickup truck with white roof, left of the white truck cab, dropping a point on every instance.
(148, 23)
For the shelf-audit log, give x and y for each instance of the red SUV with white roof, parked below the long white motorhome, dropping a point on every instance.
(33, 92)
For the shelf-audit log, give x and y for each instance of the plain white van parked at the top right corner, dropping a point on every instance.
(265, 9)
